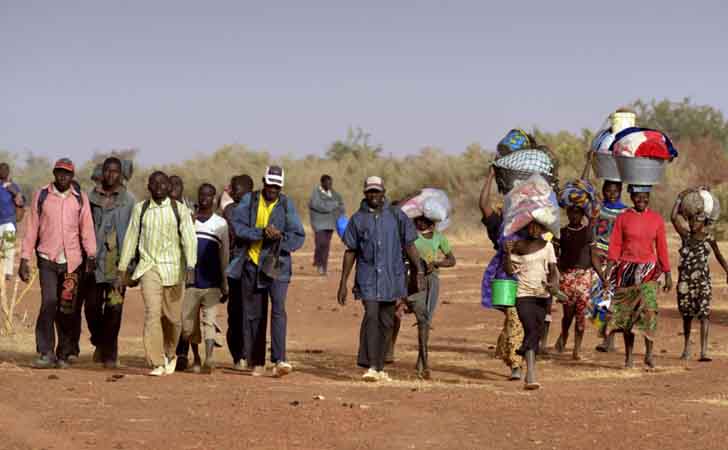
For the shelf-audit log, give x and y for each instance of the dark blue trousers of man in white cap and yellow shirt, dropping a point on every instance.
(255, 306)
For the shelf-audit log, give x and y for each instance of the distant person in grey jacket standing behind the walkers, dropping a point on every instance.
(325, 207)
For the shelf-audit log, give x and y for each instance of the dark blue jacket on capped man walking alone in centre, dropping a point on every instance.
(379, 238)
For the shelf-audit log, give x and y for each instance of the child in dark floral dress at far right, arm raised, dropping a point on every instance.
(694, 290)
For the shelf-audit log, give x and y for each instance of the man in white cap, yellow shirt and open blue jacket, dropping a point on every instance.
(267, 223)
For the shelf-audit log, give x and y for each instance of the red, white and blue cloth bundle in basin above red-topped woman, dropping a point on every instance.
(636, 142)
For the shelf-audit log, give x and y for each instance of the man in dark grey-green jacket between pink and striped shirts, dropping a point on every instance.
(111, 207)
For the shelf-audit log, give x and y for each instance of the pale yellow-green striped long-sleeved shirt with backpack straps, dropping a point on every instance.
(159, 242)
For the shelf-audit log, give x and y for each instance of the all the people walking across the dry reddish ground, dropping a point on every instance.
(235, 247)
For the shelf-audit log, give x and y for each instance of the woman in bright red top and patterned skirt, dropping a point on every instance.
(638, 253)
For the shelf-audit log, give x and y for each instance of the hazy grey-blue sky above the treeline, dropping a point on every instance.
(174, 78)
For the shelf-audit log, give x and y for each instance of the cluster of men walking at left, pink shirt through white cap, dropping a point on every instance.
(186, 257)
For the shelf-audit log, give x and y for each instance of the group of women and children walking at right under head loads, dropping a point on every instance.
(615, 258)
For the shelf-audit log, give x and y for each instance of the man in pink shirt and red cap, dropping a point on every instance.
(60, 232)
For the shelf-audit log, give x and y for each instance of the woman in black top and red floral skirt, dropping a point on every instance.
(578, 263)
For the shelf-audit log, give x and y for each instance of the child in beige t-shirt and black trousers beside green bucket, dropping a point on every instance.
(533, 261)
